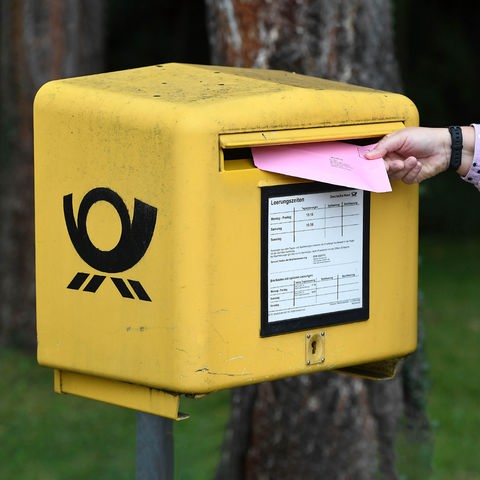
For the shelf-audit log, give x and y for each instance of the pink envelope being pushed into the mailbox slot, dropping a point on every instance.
(337, 163)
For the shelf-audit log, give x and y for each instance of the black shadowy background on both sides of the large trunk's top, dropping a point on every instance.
(436, 47)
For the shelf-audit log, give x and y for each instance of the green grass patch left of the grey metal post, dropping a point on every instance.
(46, 436)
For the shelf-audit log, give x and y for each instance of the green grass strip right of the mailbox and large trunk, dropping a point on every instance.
(450, 283)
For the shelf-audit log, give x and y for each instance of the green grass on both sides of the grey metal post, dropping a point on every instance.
(45, 436)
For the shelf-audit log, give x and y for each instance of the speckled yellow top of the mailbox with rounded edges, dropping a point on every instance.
(222, 99)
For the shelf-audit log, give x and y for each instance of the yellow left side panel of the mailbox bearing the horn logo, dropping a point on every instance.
(114, 318)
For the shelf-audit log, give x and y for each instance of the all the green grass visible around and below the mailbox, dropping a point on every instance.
(45, 436)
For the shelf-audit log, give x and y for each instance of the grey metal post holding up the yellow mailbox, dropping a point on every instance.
(154, 447)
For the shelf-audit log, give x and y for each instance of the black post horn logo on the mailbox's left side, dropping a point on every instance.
(134, 241)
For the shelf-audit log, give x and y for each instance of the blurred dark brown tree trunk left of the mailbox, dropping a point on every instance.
(40, 40)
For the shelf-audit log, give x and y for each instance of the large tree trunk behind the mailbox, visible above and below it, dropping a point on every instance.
(323, 425)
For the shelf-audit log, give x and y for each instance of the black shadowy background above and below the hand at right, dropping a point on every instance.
(436, 43)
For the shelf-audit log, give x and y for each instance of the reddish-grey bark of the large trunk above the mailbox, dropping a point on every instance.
(344, 40)
